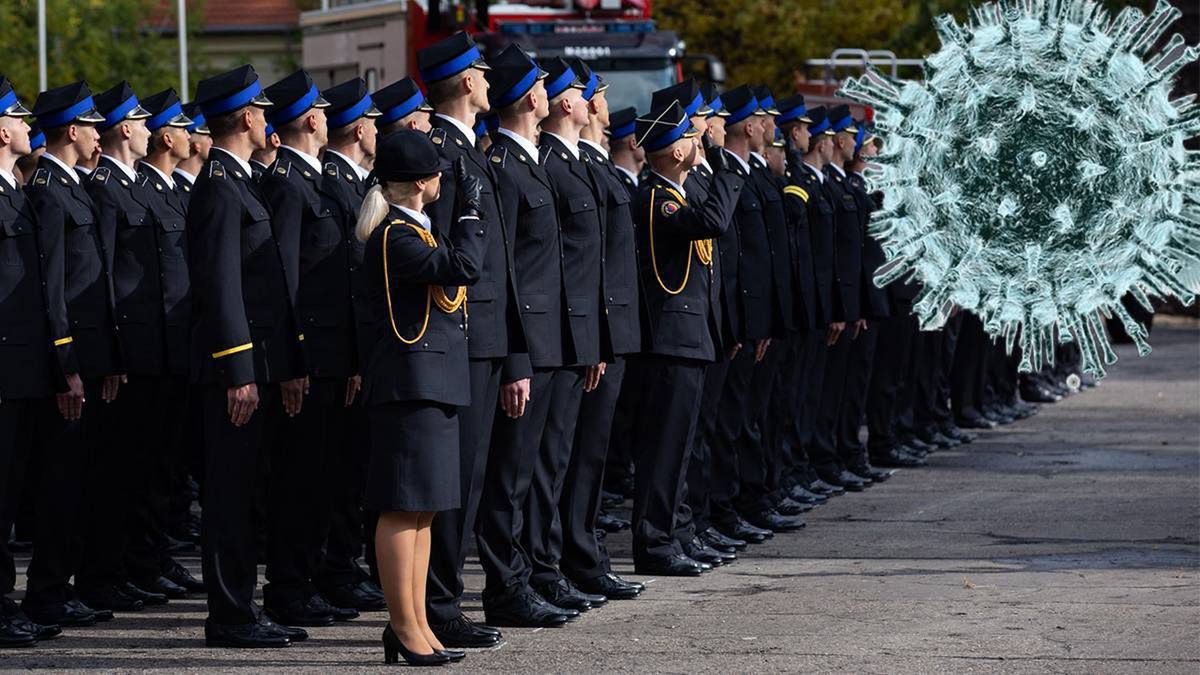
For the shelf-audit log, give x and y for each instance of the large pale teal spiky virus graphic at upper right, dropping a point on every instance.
(1039, 175)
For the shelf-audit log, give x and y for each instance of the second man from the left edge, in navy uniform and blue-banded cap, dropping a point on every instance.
(76, 259)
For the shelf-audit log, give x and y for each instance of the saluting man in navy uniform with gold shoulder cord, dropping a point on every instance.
(683, 300)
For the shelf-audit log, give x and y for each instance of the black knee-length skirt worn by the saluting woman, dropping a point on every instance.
(415, 458)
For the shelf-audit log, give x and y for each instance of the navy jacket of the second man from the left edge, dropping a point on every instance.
(76, 270)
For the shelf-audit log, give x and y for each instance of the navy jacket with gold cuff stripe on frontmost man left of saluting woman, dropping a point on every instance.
(244, 326)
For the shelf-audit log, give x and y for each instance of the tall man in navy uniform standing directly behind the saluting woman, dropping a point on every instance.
(454, 74)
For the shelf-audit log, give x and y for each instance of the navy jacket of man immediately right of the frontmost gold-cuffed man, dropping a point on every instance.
(316, 246)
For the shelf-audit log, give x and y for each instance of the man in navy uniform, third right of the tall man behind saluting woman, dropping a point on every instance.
(584, 559)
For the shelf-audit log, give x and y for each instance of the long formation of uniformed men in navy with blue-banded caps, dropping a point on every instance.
(687, 294)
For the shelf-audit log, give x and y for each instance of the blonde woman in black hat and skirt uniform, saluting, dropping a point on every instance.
(417, 374)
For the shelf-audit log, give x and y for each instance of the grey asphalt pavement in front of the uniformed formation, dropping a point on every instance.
(1065, 543)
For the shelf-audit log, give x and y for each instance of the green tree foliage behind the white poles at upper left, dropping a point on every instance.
(100, 41)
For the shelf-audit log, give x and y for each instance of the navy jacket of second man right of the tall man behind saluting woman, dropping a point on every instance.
(581, 222)
